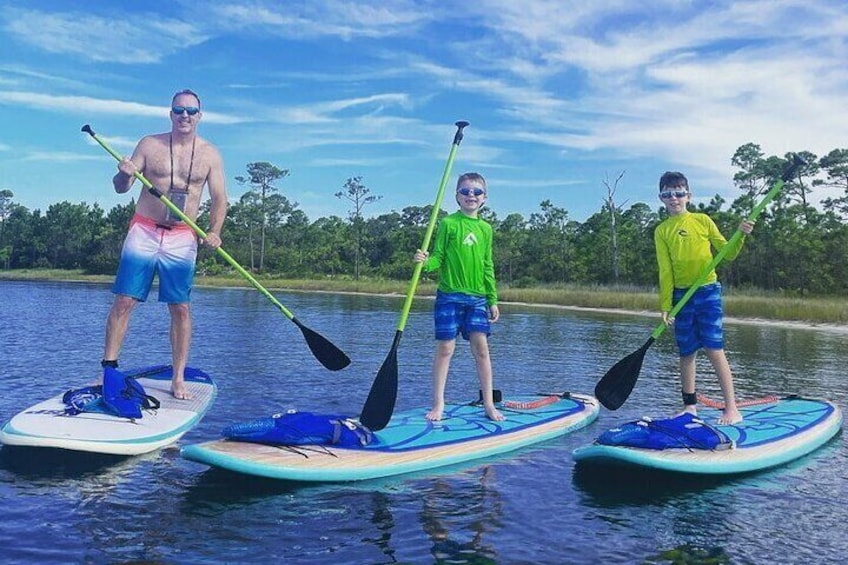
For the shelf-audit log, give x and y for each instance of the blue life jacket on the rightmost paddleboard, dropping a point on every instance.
(683, 431)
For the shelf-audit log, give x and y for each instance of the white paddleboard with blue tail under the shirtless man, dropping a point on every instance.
(47, 425)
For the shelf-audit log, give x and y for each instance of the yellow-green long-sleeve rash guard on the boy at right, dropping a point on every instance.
(684, 246)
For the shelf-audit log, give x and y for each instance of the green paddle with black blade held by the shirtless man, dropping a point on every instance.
(328, 354)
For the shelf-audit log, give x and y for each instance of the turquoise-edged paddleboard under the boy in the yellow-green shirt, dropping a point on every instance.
(772, 433)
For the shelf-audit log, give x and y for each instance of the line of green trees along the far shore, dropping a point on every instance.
(797, 248)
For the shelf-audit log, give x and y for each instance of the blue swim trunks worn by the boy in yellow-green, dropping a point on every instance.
(699, 322)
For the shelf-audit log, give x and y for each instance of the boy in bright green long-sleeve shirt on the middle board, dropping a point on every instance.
(467, 297)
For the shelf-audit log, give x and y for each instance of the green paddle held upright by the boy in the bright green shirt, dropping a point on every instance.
(381, 399)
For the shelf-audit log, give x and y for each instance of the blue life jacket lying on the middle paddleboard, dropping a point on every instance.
(301, 428)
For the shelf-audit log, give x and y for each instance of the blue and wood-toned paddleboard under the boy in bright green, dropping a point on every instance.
(409, 443)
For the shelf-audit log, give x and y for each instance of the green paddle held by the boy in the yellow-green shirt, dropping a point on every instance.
(617, 384)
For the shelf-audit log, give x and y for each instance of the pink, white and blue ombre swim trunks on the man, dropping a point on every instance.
(151, 249)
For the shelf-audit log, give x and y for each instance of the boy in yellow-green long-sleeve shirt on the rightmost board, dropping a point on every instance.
(684, 243)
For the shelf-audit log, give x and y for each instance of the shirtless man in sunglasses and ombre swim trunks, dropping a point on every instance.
(180, 164)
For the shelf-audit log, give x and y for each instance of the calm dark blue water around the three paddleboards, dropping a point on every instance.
(531, 506)
